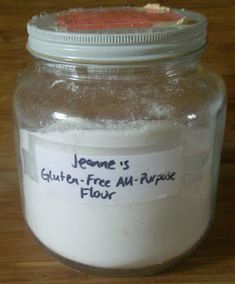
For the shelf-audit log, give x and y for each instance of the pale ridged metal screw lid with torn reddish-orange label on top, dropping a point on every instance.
(115, 35)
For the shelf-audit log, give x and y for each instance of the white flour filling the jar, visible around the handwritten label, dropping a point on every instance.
(126, 235)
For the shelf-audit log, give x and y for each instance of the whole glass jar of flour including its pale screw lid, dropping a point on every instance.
(118, 134)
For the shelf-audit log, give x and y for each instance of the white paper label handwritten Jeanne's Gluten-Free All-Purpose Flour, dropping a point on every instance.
(108, 179)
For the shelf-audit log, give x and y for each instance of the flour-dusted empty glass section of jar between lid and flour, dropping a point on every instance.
(42, 92)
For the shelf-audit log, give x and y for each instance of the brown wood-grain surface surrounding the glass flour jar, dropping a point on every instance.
(22, 260)
